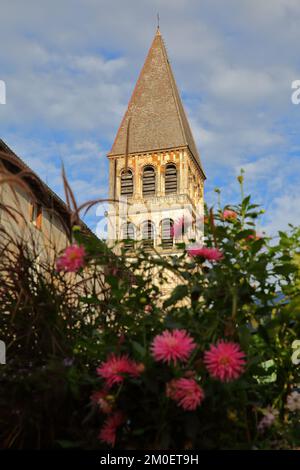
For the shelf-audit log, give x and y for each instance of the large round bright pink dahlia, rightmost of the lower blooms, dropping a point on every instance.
(225, 361)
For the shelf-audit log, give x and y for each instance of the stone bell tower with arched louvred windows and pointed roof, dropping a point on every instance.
(156, 177)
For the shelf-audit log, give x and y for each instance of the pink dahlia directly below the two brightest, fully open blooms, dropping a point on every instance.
(186, 392)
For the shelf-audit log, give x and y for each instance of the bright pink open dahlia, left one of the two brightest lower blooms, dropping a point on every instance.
(172, 346)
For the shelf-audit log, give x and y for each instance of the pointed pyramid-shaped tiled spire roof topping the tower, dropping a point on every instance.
(157, 117)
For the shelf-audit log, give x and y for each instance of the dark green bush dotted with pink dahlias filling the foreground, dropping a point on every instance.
(208, 366)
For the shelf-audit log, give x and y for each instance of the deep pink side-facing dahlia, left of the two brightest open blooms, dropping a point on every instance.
(115, 369)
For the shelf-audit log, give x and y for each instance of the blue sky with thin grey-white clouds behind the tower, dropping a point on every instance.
(70, 68)
